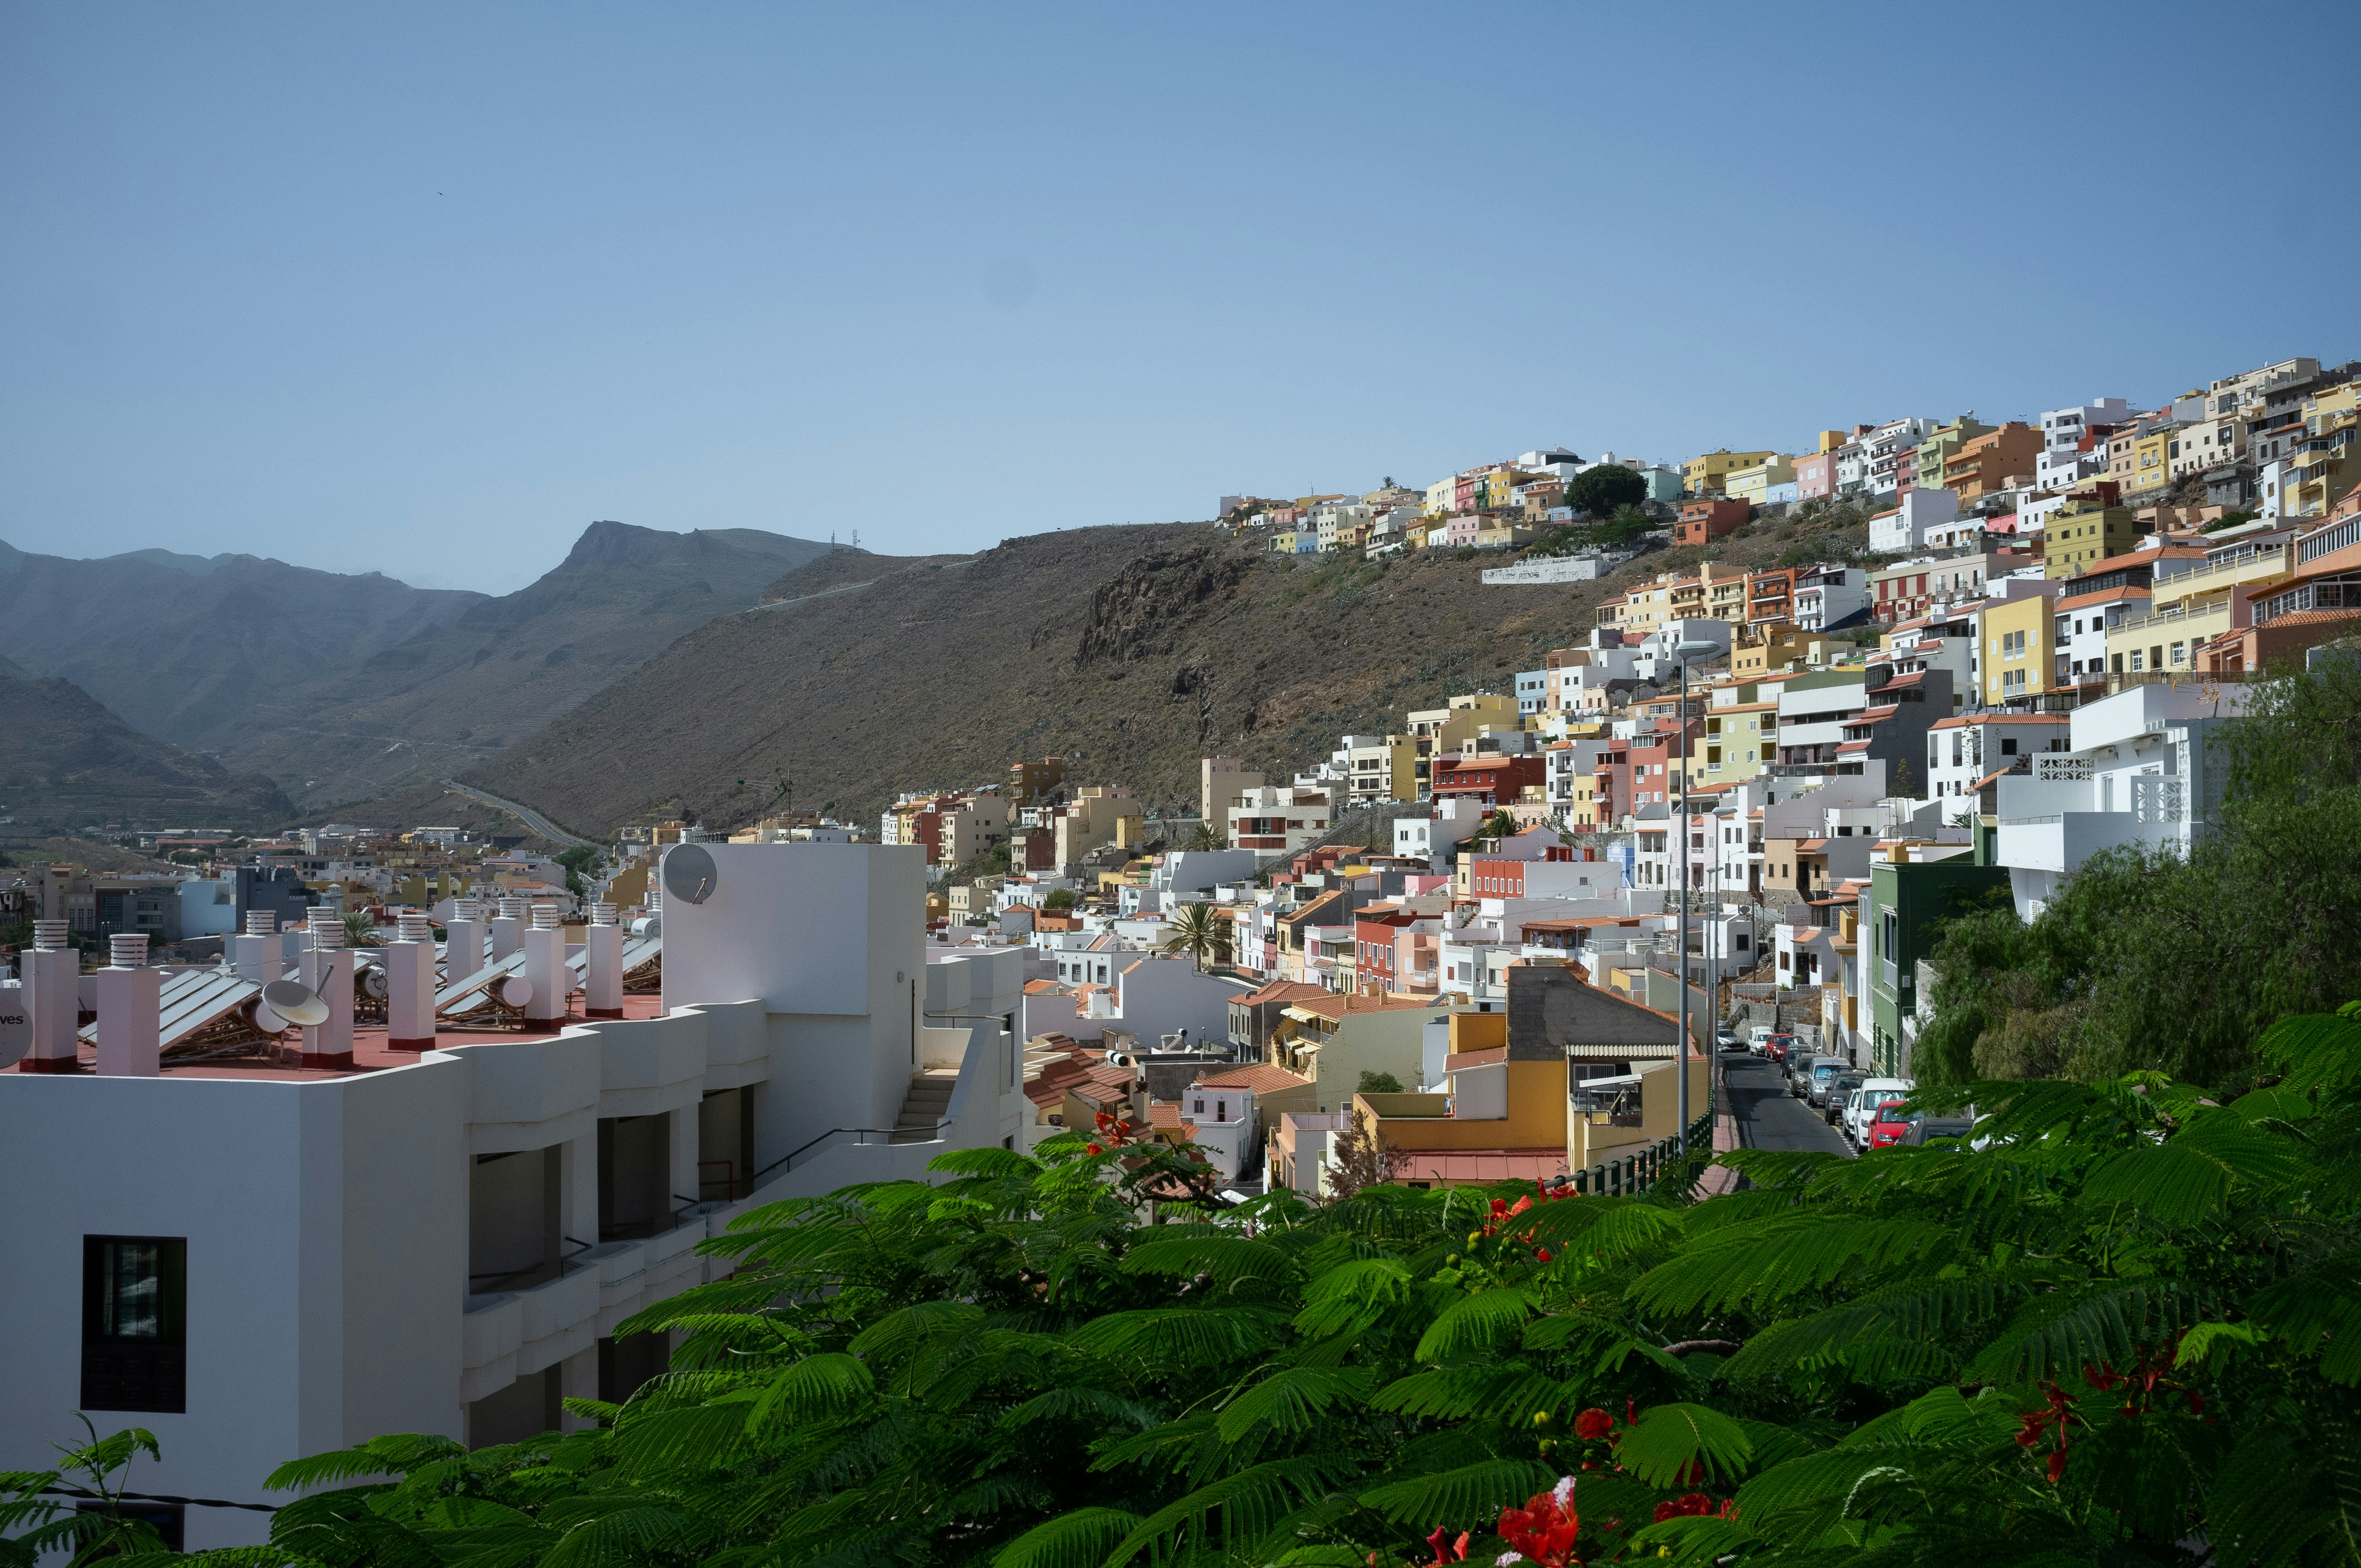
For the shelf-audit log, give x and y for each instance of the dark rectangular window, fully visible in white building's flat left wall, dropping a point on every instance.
(136, 1324)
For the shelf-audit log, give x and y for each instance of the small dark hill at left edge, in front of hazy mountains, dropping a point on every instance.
(67, 762)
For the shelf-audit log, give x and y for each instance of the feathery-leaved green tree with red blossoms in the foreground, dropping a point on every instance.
(2126, 1328)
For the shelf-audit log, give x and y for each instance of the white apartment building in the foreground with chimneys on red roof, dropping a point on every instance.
(445, 1241)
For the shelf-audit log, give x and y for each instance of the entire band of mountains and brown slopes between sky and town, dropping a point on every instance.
(726, 674)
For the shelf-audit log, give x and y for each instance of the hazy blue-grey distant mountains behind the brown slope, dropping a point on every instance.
(346, 688)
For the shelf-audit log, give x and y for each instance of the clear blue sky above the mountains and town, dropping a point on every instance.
(426, 289)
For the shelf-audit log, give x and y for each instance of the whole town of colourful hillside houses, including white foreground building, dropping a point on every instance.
(1448, 953)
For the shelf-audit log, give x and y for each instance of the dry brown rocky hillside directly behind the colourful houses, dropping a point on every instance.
(1132, 651)
